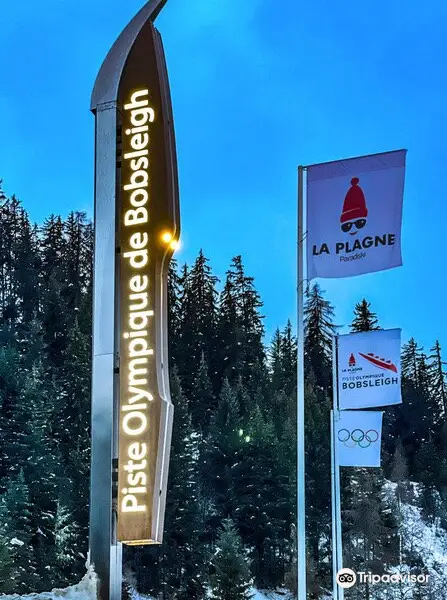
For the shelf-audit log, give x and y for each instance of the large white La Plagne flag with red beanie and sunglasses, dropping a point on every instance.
(354, 215)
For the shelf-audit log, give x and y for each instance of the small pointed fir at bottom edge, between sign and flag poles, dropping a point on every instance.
(231, 574)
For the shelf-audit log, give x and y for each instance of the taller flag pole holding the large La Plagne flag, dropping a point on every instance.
(300, 476)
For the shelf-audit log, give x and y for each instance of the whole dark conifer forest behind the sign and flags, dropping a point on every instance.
(231, 504)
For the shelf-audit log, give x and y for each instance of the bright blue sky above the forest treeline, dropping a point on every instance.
(258, 87)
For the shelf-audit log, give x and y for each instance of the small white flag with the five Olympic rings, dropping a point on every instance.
(358, 434)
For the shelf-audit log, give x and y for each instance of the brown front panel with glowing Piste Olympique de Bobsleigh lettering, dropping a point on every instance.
(147, 231)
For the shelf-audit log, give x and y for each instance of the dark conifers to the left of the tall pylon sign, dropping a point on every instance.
(45, 332)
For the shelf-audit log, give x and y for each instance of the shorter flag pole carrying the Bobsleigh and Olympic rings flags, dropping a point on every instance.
(337, 548)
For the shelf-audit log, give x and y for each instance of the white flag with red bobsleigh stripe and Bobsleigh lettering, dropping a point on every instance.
(369, 372)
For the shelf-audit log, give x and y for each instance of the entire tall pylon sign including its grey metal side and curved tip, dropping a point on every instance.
(136, 180)
